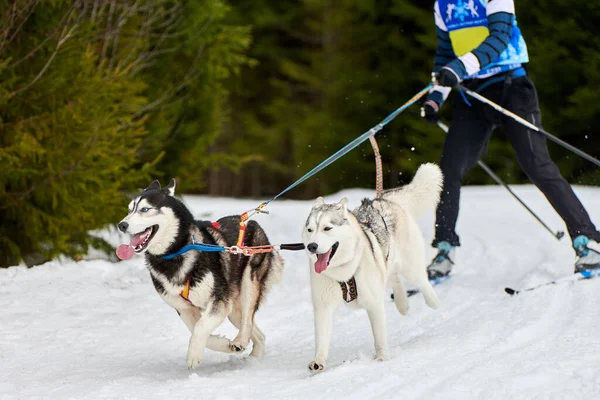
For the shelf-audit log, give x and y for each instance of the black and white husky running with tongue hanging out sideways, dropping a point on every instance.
(220, 284)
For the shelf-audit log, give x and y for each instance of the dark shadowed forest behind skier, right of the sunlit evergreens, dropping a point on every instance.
(328, 71)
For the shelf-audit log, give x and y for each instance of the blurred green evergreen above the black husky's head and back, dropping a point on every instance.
(189, 110)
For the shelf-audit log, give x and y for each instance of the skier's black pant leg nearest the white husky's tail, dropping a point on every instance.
(465, 143)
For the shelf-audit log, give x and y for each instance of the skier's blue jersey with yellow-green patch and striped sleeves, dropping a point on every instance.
(477, 39)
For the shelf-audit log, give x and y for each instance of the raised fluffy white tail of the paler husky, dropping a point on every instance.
(422, 195)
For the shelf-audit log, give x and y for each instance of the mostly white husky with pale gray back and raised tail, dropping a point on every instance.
(352, 255)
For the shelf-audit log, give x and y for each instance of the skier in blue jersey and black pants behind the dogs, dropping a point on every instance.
(485, 52)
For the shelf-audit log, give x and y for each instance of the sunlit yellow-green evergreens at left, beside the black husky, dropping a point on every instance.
(89, 91)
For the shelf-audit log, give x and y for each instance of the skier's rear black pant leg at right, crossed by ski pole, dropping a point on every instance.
(532, 154)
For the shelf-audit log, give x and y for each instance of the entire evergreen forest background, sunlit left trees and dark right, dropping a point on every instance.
(240, 98)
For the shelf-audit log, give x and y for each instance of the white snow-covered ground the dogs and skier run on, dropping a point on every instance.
(97, 329)
